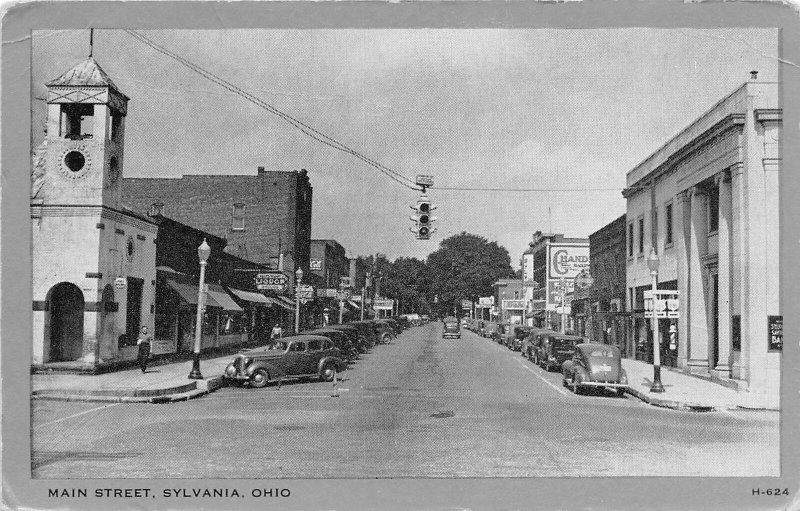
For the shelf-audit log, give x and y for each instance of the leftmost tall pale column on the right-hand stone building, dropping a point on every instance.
(682, 219)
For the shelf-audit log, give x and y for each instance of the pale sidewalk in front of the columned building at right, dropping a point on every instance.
(684, 392)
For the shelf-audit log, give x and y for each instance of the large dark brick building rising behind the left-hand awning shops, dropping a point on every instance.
(261, 216)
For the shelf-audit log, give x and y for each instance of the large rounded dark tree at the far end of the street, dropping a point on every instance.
(465, 267)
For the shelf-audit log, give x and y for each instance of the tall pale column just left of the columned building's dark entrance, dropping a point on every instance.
(697, 303)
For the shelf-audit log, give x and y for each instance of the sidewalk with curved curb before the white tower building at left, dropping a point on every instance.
(161, 384)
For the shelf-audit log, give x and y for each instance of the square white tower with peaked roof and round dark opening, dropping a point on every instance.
(85, 138)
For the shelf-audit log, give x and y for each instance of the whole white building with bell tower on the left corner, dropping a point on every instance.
(93, 260)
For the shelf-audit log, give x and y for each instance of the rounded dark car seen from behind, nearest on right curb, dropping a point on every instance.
(595, 365)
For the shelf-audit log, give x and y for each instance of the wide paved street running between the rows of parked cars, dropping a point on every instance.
(420, 407)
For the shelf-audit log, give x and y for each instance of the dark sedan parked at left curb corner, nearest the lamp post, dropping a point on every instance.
(291, 357)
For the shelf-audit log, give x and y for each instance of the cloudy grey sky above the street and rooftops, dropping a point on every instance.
(544, 109)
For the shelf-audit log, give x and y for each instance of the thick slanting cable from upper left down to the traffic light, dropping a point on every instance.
(301, 126)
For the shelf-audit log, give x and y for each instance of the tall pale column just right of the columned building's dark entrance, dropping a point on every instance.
(723, 367)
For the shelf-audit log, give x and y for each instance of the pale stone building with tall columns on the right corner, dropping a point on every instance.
(707, 202)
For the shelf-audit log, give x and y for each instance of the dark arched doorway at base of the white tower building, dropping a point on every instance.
(66, 322)
